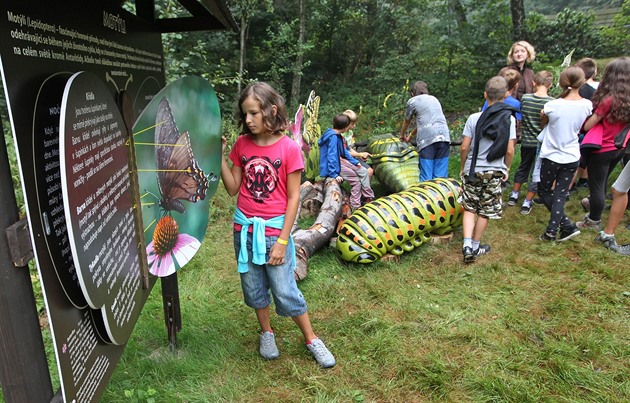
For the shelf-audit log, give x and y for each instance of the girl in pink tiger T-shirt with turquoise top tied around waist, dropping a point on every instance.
(266, 173)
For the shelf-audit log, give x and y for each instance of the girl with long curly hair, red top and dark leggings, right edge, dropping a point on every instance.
(611, 104)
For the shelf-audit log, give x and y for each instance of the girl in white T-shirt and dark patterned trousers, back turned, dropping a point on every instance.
(560, 152)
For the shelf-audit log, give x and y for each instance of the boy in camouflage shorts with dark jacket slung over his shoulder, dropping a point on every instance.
(486, 154)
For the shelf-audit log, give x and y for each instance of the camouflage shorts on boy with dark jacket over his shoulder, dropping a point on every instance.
(482, 195)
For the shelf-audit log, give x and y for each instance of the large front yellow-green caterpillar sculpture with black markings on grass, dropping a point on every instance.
(400, 222)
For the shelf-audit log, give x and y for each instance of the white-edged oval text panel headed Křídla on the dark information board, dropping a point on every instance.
(99, 203)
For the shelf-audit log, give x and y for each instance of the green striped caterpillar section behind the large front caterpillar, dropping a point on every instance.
(395, 163)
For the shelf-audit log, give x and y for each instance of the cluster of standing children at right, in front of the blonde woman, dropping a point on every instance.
(551, 151)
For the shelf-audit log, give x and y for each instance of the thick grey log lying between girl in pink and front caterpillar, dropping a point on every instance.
(309, 241)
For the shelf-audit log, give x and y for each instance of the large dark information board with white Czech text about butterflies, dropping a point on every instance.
(64, 75)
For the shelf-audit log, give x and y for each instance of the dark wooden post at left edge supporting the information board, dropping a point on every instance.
(24, 371)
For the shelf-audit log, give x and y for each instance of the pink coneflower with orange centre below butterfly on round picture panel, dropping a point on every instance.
(169, 250)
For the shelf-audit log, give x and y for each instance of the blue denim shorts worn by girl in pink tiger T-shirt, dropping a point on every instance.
(260, 279)
